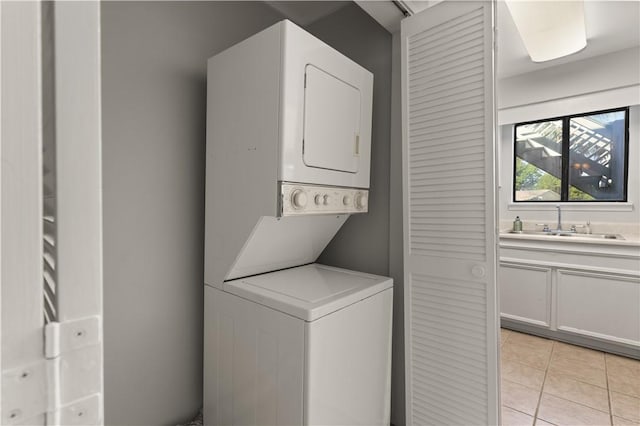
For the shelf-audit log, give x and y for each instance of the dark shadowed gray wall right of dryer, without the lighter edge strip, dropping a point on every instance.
(363, 242)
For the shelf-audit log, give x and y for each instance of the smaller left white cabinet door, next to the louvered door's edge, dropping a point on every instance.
(525, 293)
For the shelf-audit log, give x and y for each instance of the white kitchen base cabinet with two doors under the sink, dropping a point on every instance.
(585, 294)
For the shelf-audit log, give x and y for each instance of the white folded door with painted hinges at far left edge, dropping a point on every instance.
(51, 252)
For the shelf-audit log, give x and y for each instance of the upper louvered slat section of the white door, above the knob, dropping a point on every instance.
(426, 172)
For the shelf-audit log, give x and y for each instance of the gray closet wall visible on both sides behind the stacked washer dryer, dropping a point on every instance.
(154, 98)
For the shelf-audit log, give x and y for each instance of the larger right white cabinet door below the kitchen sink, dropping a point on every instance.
(605, 306)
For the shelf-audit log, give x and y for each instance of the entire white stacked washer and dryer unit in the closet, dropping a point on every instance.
(289, 341)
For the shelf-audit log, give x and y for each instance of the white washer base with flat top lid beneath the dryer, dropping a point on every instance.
(309, 345)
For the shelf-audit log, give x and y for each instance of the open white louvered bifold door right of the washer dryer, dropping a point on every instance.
(451, 319)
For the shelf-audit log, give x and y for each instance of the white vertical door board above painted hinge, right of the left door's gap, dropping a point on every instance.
(78, 156)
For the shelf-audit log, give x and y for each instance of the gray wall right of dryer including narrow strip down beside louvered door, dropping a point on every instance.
(365, 241)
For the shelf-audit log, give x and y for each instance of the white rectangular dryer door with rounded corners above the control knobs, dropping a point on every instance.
(331, 122)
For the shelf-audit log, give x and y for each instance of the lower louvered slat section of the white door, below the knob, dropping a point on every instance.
(450, 352)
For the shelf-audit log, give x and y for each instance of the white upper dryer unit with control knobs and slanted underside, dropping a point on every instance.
(288, 151)
